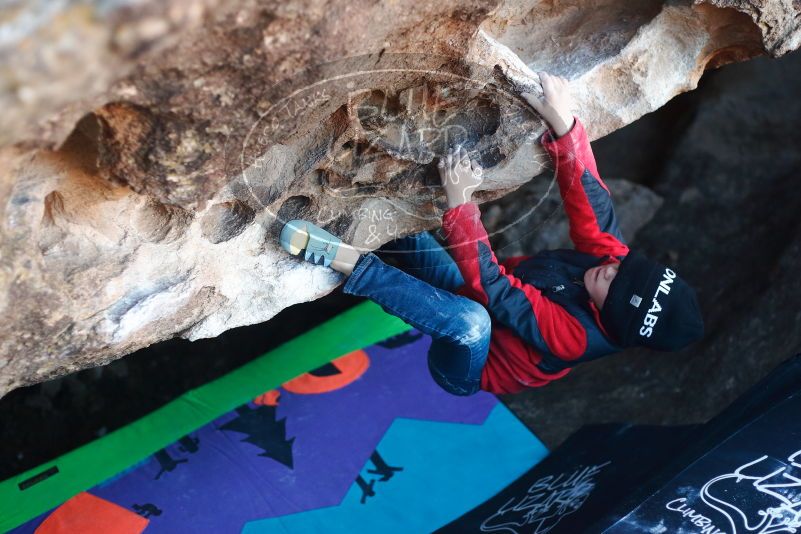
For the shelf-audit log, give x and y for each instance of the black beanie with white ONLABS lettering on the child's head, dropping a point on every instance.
(649, 305)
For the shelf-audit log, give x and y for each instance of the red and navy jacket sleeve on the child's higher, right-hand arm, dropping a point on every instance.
(588, 203)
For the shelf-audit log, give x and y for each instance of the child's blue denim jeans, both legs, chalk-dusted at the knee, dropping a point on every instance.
(423, 298)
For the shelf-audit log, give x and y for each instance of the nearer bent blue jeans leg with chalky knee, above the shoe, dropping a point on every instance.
(458, 326)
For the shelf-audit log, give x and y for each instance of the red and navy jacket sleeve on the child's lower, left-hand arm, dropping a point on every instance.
(515, 304)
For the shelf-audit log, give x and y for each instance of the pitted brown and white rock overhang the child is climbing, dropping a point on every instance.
(149, 208)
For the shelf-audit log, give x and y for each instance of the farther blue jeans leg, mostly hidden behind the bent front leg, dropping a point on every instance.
(424, 258)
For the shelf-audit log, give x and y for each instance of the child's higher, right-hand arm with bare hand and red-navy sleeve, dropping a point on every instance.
(587, 200)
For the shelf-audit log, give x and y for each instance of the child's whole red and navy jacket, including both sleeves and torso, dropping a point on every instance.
(543, 320)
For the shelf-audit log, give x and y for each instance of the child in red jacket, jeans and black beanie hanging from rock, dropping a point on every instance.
(505, 326)
